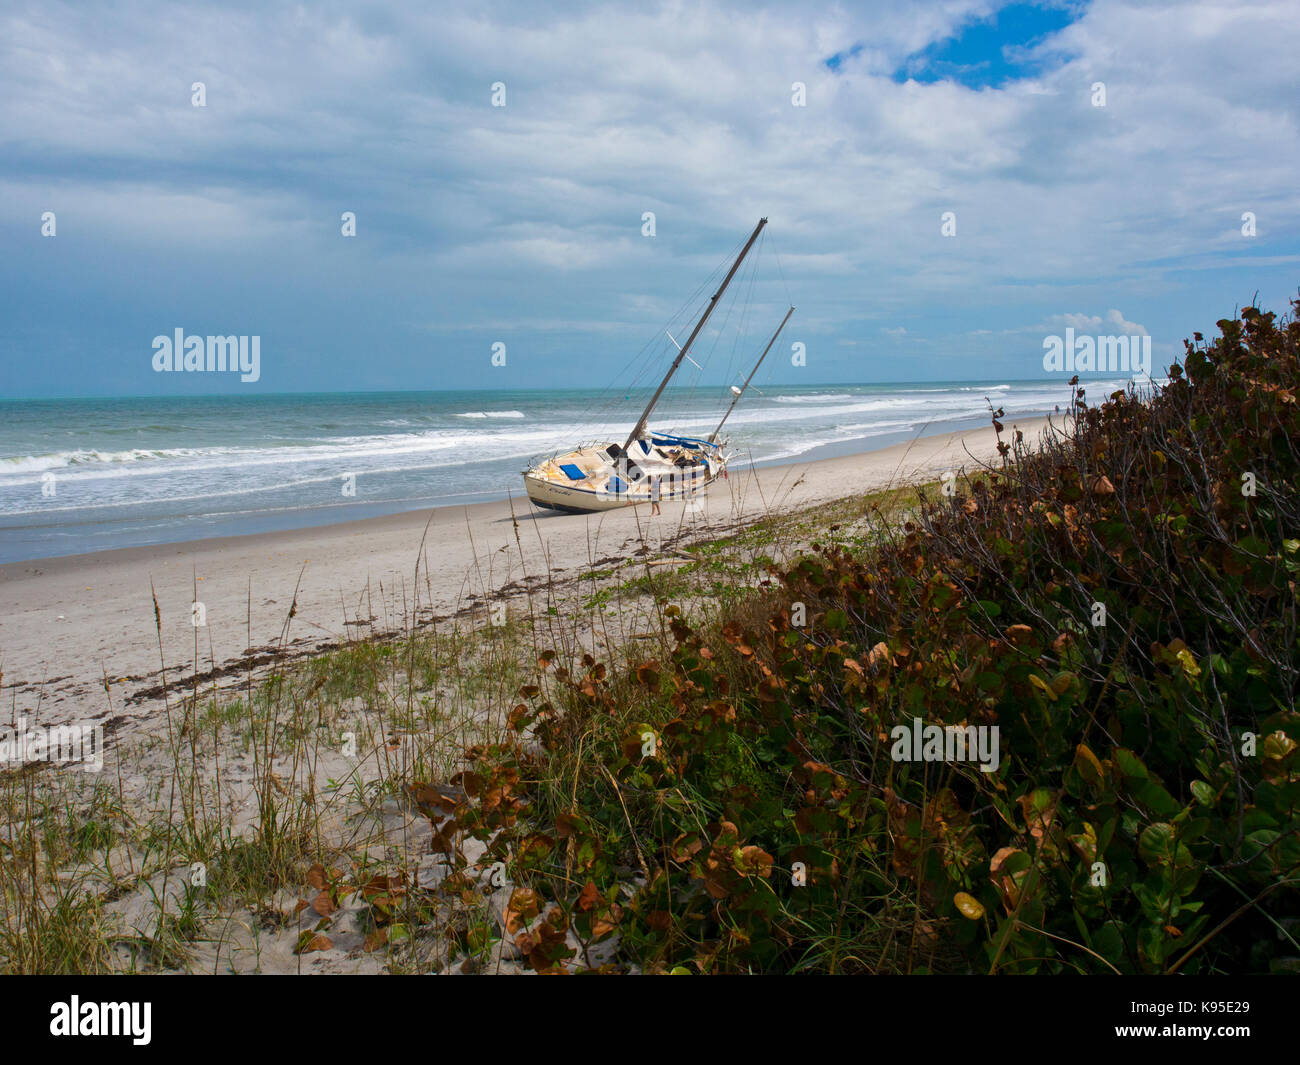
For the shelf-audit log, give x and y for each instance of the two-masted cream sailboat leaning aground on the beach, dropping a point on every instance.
(647, 465)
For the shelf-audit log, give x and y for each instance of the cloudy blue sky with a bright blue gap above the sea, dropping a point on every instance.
(523, 224)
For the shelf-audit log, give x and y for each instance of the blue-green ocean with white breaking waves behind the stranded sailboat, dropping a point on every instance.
(86, 475)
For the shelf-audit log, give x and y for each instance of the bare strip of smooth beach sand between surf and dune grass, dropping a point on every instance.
(68, 624)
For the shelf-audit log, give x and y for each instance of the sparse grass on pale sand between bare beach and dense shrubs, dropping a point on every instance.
(241, 833)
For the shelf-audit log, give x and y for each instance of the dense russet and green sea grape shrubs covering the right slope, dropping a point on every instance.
(1119, 603)
